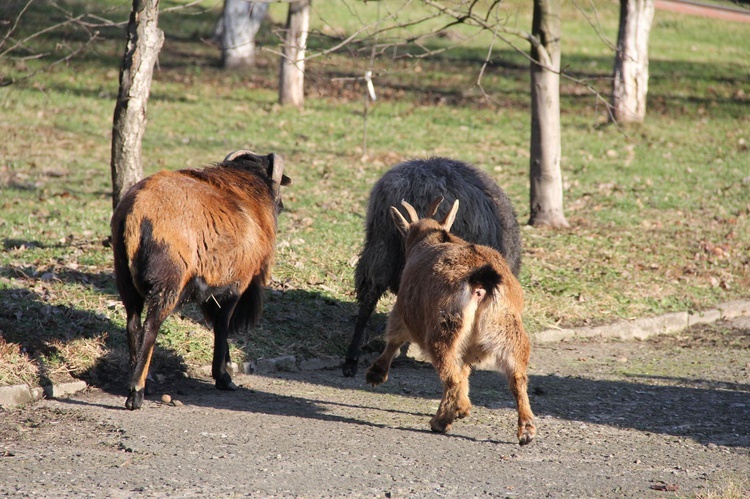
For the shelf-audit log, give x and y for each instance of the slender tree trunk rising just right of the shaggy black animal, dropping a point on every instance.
(546, 179)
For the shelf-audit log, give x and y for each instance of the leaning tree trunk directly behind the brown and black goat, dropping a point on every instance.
(143, 45)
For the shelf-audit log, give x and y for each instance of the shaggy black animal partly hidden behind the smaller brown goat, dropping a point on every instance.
(487, 217)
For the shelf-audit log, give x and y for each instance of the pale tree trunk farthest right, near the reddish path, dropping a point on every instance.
(630, 82)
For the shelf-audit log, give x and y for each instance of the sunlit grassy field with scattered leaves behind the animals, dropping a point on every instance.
(660, 213)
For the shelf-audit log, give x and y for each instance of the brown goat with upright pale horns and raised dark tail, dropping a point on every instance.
(461, 304)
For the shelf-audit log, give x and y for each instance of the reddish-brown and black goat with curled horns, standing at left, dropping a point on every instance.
(206, 235)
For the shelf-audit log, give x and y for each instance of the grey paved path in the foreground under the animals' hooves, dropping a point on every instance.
(624, 419)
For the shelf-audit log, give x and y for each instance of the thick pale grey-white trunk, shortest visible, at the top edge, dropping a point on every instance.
(240, 23)
